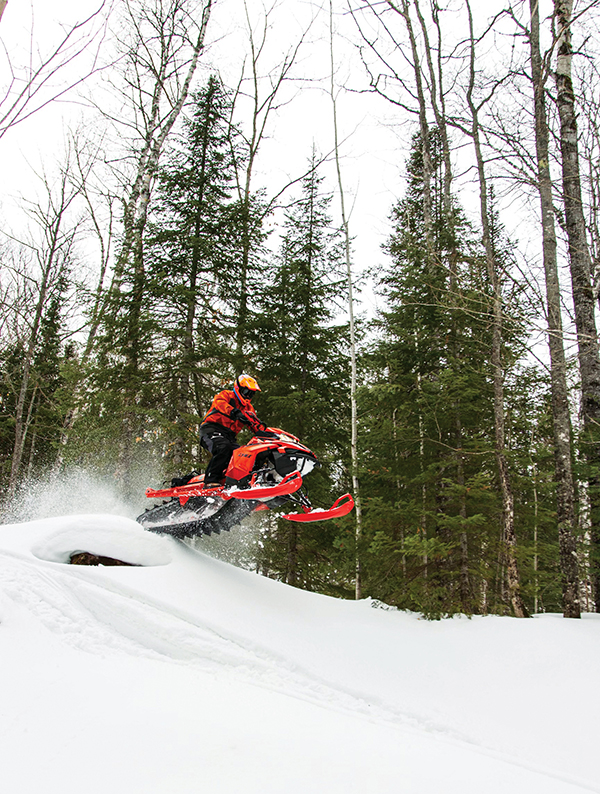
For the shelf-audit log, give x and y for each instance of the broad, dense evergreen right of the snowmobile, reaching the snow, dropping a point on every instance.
(428, 436)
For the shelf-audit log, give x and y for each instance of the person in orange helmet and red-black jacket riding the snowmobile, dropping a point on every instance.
(229, 412)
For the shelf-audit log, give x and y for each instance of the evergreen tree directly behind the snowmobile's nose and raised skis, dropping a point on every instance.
(301, 354)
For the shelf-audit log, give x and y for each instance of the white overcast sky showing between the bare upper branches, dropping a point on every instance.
(375, 134)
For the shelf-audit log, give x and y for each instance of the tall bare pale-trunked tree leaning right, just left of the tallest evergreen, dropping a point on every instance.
(162, 43)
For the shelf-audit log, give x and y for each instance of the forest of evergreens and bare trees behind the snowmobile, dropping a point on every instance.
(452, 385)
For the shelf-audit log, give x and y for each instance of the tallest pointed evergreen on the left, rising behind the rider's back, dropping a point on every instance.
(191, 251)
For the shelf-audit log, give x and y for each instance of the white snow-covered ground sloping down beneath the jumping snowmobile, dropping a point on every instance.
(184, 675)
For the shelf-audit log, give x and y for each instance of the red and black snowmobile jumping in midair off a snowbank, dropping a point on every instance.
(264, 474)
